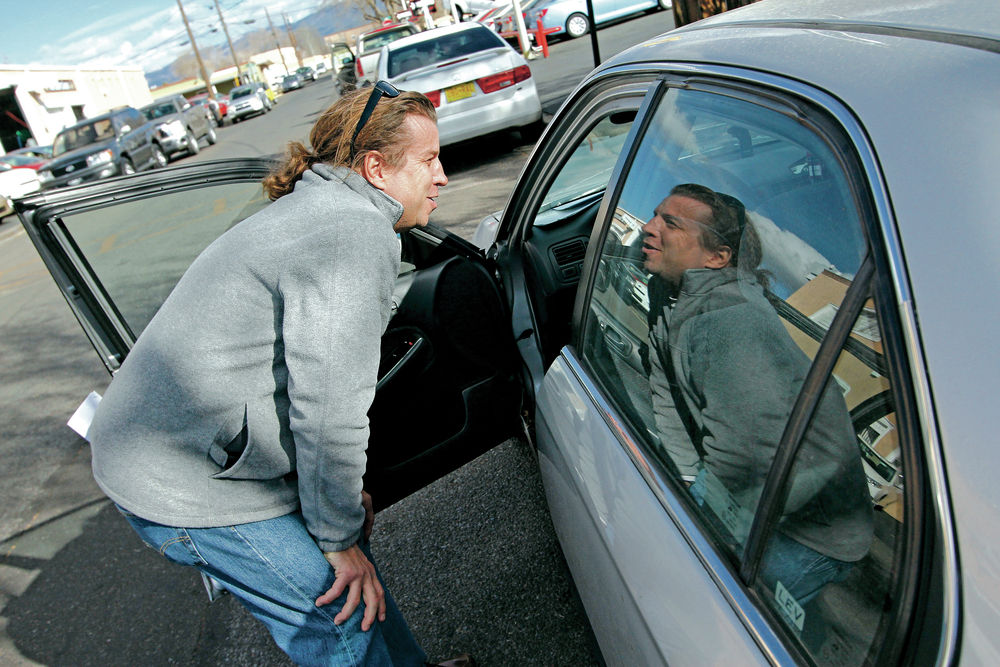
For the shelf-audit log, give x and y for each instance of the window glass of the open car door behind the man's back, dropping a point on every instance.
(138, 250)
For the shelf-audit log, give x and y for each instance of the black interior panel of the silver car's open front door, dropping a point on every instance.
(453, 391)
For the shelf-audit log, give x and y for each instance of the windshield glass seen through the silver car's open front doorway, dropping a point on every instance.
(587, 171)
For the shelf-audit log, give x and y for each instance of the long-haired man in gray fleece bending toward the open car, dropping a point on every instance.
(233, 437)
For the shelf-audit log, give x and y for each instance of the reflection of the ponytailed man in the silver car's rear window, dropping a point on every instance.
(724, 375)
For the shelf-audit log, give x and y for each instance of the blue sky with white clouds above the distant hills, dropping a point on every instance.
(145, 33)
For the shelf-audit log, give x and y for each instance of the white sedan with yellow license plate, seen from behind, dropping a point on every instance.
(477, 82)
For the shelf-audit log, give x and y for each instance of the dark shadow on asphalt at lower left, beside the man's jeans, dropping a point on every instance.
(106, 599)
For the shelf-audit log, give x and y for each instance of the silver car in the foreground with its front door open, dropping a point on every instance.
(860, 217)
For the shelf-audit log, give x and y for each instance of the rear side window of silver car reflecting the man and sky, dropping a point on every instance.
(736, 241)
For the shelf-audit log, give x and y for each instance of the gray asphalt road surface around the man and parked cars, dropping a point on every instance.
(472, 559)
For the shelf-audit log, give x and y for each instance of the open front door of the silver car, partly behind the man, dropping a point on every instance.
(448, 387)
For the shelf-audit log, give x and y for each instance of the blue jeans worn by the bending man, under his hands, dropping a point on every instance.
(277, 571)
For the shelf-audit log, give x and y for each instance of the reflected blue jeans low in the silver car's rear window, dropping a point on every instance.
(801, 570)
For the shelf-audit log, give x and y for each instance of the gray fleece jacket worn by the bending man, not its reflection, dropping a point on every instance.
(246, 396)
